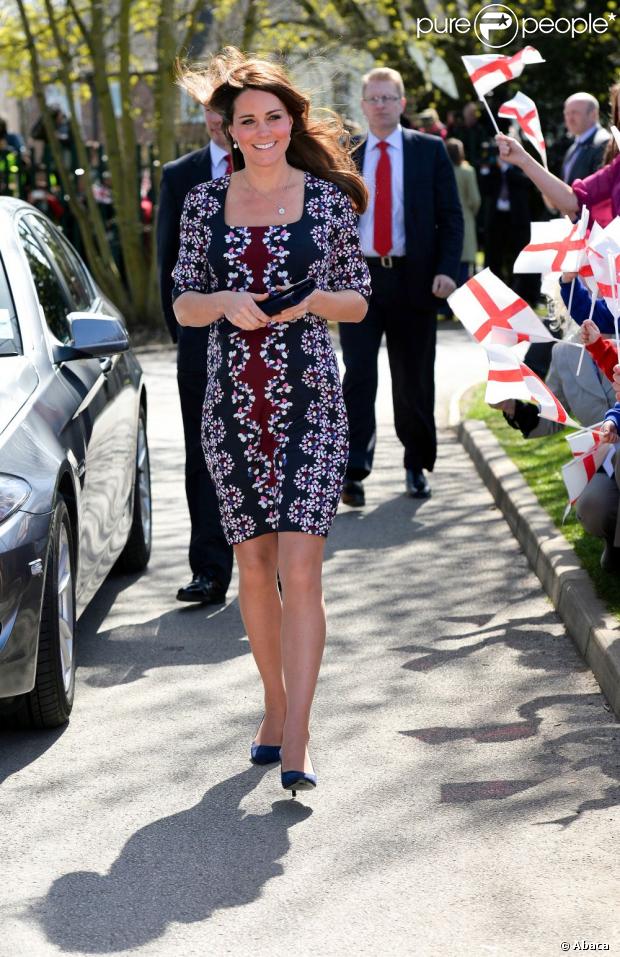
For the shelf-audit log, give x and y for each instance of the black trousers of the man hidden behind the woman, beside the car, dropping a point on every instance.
(209, 552)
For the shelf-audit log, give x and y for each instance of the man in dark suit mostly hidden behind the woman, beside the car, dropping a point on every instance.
(210, 556)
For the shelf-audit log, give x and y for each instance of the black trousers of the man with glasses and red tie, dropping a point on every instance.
(410, 334)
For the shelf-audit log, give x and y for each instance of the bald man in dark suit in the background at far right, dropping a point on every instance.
(585, 154)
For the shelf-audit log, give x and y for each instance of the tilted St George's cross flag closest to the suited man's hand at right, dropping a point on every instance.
(492, 312)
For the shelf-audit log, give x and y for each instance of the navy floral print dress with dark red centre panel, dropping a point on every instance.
(275, 433)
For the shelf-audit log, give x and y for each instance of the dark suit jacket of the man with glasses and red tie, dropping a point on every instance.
(433, 216)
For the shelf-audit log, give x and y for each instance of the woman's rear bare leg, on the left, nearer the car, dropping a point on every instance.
(261, 611)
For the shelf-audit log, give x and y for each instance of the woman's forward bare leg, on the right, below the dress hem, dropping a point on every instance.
(300, 561)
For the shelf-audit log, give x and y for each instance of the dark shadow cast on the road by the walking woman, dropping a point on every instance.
(181, 869)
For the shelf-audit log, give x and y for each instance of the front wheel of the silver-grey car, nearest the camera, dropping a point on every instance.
(49, 703)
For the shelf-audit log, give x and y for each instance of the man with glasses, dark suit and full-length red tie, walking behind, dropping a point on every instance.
(412, 236)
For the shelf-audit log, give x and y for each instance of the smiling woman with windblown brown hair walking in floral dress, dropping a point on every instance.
(274, 421)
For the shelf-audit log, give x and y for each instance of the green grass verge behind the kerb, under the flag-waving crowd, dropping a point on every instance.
(540, 461)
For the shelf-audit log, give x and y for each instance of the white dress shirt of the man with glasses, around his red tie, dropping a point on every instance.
(367, 219)
